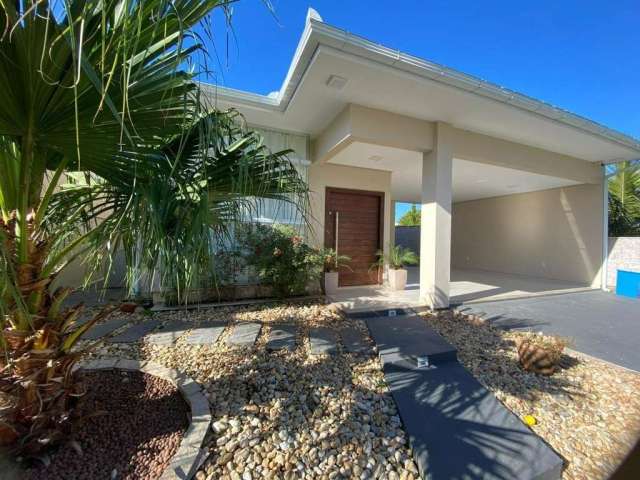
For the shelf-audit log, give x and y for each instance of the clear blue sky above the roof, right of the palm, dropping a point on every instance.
(579, 55)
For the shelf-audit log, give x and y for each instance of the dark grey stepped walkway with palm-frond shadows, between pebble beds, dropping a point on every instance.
(456, 427)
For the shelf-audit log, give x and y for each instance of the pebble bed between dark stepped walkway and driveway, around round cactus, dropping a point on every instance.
(588, 411)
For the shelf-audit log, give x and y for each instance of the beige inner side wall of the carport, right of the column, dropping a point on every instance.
(553, 234)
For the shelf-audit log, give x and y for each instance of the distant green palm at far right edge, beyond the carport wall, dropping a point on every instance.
(624, 199)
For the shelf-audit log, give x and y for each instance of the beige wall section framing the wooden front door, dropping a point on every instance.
(327, 175)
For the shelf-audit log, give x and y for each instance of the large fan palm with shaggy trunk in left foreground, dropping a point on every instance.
(97, 94)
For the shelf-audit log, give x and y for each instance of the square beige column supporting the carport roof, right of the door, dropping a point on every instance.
(435, 220)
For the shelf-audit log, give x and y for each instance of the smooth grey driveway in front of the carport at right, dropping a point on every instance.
(601, 324)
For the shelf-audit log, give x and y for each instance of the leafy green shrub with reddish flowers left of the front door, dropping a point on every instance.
(281, 258)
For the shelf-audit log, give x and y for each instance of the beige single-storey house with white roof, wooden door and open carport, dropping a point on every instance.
(509, 185)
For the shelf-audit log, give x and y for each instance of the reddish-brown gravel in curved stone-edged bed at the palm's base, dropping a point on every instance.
(144, 419)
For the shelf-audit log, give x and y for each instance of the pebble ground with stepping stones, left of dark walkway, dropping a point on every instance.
(287, 415)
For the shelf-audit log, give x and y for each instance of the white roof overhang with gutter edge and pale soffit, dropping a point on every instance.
(387, 79)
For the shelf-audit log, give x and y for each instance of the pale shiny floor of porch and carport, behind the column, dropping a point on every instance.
(467, 286)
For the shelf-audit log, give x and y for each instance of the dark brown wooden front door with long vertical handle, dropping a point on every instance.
(356, 216)
